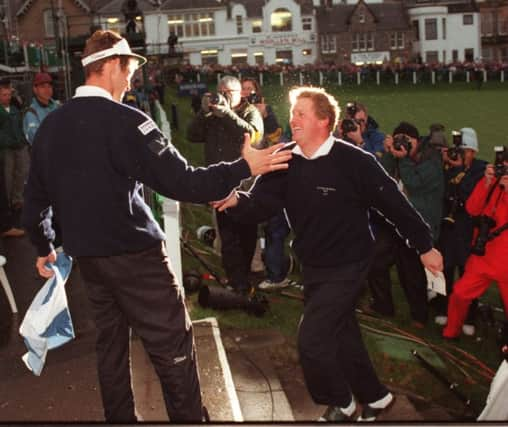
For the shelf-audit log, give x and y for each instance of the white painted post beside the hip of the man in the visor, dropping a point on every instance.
(171, 216)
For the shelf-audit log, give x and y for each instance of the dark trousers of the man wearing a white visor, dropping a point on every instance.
(139, 291)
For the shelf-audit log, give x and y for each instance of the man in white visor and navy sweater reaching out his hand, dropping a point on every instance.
(89, 159)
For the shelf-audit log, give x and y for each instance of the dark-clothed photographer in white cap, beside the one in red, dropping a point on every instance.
(462, 173)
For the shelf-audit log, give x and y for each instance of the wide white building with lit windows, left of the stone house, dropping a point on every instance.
(243, 31)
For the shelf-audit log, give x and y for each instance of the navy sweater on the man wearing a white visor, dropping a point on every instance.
(89, 159)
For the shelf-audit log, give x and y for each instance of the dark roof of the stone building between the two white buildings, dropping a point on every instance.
(336, 19)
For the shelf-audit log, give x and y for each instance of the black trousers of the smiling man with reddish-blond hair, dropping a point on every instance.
(334, 359)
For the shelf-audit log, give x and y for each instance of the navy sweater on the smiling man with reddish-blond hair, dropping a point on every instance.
(327, 201)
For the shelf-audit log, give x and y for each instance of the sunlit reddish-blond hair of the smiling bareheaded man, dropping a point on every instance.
(325, 105)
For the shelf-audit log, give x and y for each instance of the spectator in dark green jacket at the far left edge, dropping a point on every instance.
(14, 146)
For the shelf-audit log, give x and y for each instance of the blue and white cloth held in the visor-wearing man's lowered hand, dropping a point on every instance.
(47, 323)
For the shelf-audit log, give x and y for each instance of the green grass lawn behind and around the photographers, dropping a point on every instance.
(455, 106)
